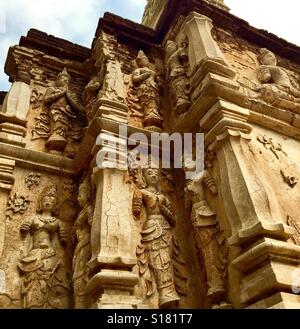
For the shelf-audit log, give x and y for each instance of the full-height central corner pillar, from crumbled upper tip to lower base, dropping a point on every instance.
(111, 281)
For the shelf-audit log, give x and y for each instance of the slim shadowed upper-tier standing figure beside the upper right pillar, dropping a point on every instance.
(176, 59)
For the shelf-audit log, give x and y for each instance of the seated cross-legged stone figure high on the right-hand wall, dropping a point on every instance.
(276, 80)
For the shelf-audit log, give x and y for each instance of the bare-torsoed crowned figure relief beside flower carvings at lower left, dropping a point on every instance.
(44, 282)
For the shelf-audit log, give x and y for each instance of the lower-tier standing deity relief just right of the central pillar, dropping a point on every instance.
(159, 259)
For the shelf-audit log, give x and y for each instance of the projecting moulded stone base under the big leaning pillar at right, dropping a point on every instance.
(268, 266)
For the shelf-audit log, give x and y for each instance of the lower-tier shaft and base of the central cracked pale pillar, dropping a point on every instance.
(113, 257)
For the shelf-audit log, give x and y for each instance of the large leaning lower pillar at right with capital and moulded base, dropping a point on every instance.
(265, 261)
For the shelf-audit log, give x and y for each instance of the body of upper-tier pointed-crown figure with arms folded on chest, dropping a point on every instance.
(146, 91)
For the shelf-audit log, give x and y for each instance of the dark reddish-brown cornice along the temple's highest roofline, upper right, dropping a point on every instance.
(131, 32)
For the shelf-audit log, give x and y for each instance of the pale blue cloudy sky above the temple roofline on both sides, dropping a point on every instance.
(76, 20)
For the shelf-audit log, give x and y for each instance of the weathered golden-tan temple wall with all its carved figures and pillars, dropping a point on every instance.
(76, 235)
